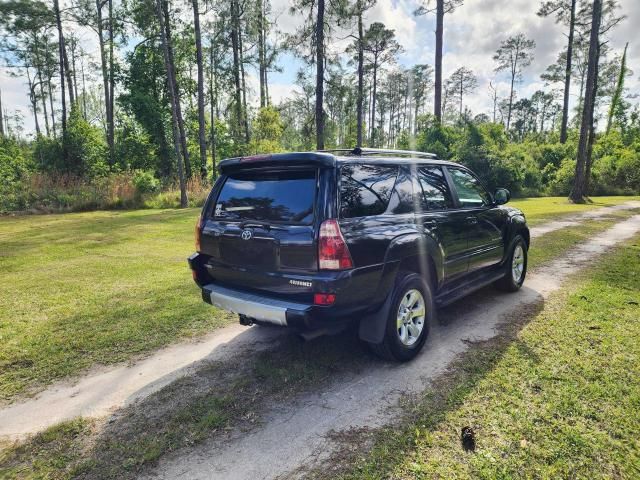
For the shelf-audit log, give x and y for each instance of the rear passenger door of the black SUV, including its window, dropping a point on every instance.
(436, 213)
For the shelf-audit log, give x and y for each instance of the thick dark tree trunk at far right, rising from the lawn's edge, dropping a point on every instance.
(578, 192)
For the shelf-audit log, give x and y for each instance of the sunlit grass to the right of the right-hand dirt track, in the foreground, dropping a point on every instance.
(557, 398)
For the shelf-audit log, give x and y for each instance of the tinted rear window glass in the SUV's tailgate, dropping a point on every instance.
(286, 197)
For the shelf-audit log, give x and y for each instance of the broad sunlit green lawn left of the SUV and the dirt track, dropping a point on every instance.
(82, 289)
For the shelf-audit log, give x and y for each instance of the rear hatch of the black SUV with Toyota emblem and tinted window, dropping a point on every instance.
(259, 230)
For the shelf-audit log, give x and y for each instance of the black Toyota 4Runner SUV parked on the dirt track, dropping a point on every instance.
(314, 240)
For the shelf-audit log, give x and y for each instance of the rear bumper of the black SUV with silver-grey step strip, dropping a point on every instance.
(257, 307)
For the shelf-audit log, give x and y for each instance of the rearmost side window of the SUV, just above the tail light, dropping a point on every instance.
(365, 189)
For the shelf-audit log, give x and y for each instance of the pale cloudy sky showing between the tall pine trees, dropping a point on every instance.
(472, 33)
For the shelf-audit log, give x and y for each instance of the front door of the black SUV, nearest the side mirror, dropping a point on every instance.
(485, 222)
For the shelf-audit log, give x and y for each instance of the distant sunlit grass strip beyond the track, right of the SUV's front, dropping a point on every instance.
(539, 210)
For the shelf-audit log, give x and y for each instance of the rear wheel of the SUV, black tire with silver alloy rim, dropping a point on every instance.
(411, 313)
